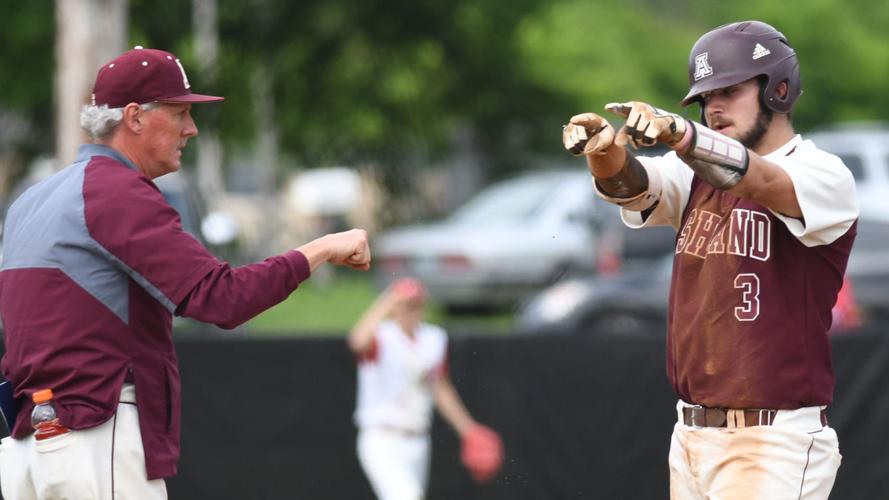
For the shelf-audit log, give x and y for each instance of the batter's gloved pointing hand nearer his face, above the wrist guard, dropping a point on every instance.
(647, 125)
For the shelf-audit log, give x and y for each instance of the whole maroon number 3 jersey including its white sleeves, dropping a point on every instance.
(752, 290)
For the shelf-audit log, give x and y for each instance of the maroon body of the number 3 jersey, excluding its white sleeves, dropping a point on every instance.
(750, 306)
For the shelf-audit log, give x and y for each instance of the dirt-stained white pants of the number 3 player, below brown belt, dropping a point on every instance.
(794, 458)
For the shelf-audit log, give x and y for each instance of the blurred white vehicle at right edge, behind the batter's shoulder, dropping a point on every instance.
(864, 148)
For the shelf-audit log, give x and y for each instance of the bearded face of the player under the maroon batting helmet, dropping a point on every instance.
(735, 111)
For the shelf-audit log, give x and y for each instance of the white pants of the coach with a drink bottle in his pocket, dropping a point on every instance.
(103, 462)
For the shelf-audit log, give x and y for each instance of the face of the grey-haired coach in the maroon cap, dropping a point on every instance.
(168, 128)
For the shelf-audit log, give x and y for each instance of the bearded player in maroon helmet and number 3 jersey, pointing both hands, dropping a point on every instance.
(765, 223)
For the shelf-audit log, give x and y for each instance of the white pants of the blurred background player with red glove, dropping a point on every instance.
(396, 464)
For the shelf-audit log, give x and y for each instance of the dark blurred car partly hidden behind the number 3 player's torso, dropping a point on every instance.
(635, 302)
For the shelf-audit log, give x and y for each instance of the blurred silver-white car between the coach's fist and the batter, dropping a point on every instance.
(510, 240)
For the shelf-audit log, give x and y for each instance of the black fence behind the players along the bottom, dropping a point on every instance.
(580, 418)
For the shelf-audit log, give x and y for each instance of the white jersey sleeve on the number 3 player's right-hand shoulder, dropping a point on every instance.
(825, 191)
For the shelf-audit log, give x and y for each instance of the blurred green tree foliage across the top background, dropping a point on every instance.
(392, 82)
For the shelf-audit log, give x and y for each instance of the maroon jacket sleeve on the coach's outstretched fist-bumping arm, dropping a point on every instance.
(130, 219)
